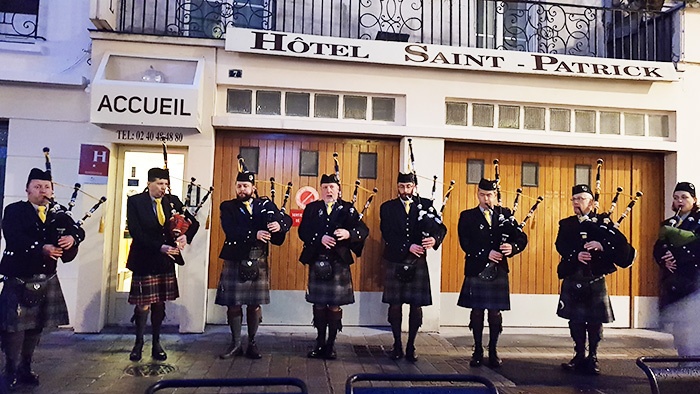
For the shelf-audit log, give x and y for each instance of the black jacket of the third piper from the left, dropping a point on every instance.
(241, 228)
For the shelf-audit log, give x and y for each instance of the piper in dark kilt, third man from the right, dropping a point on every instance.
(483, 245)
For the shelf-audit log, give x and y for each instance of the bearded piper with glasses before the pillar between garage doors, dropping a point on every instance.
(409, 228)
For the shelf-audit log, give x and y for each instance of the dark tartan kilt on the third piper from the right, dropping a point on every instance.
(482, 294)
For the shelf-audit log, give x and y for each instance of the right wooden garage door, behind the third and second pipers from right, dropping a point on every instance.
(534, 271)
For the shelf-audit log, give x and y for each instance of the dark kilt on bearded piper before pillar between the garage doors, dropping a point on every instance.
(416, 292)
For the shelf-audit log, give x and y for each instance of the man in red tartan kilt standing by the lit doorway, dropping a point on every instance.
(153, 255)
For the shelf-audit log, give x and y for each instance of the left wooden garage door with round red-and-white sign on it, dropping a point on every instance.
(279, 157)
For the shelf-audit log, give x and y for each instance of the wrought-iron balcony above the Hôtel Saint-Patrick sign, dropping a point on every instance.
(626, 31)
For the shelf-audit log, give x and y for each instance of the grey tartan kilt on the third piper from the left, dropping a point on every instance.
(231, 291)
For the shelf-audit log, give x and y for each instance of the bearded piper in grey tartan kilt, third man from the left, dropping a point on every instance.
(249, 224)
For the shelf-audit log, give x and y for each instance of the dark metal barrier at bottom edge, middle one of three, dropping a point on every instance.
(483, 385)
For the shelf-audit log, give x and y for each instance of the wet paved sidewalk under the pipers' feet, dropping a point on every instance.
(96, 363)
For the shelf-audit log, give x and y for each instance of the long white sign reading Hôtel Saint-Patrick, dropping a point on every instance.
(442, 56)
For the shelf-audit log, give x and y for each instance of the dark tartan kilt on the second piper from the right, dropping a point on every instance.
(596, 309)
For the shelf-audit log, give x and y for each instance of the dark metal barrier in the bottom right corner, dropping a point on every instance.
(674, 375)
